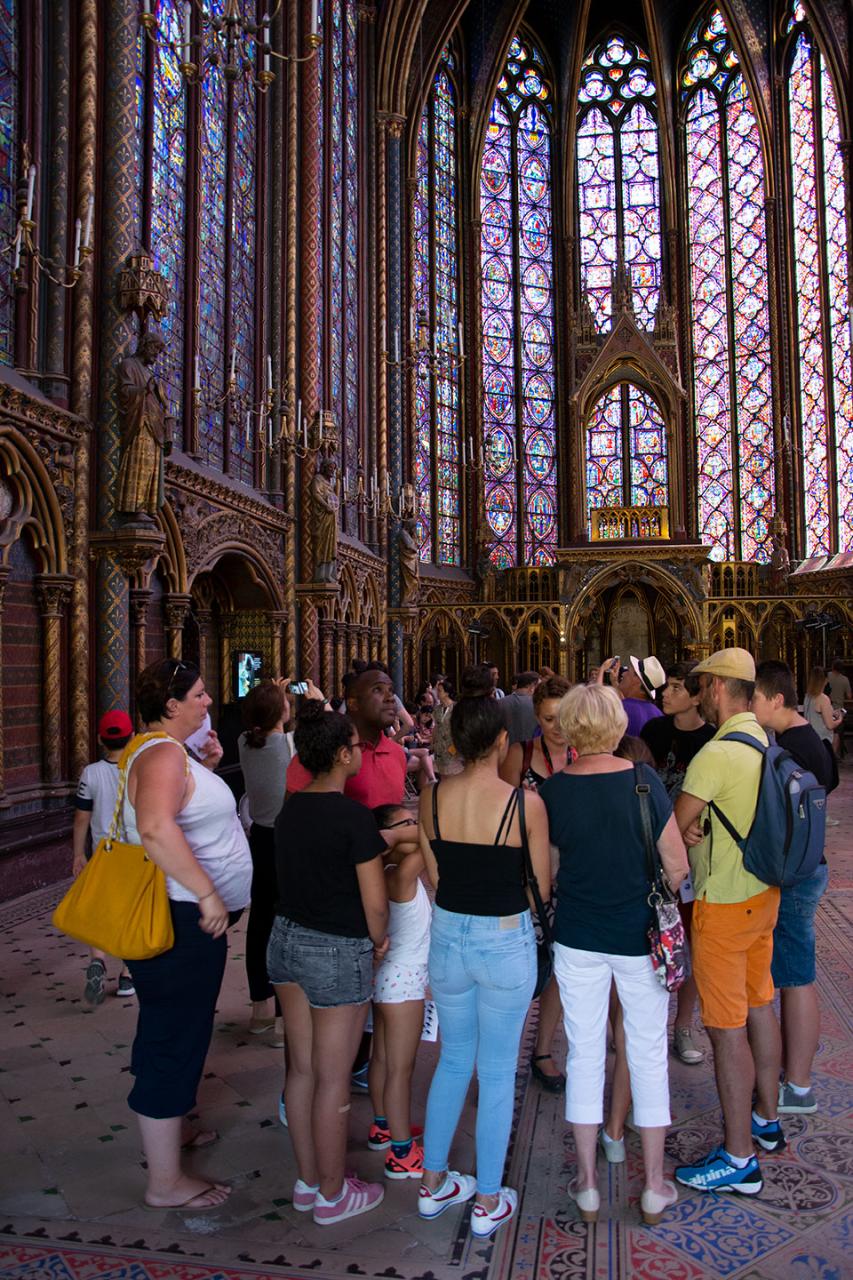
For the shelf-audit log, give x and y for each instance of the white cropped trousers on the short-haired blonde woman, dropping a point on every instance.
(585, 980)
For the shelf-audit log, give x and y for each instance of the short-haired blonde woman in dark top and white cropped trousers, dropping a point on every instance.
(601, 934)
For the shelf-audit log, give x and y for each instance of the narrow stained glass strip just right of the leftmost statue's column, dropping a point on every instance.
(168, 189)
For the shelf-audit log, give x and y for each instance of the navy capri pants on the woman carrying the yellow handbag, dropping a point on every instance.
(177, 993)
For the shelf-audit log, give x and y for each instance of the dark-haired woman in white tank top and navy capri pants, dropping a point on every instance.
(186, 819)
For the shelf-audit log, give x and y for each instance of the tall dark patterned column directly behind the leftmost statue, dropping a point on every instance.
(117, 241)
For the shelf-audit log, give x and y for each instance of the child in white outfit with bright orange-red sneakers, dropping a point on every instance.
(400, 986)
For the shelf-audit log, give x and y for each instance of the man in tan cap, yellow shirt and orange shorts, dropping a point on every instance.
(733, 929)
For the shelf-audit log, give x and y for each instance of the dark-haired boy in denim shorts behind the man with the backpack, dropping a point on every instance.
(793, 970)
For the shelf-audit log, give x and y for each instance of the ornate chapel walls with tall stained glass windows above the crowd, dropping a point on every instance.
(549, 304)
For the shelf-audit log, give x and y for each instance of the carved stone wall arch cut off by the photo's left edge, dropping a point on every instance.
(34, 504)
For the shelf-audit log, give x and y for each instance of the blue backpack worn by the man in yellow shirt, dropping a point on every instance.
(786, 842)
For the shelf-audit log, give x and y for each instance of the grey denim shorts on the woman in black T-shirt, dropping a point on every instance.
(331, 971)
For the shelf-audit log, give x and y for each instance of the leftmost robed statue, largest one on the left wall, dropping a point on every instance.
(147, 432)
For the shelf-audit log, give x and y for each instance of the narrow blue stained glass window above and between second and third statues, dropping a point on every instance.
(341, 253)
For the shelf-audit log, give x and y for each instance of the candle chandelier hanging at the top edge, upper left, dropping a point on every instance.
(232, 40)
